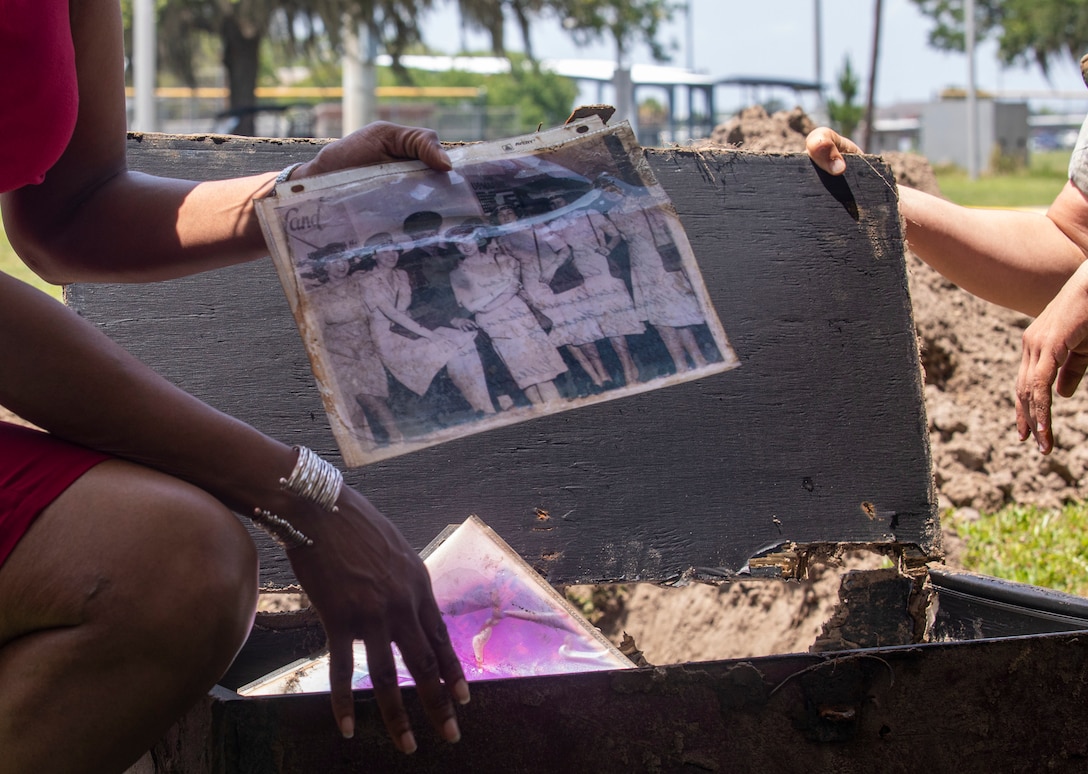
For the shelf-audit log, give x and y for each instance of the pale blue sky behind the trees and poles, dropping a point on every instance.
(777, 39)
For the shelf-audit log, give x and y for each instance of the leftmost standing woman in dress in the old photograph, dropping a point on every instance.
(356, 364)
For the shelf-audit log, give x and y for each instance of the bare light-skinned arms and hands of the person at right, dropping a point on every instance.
(1029, 262)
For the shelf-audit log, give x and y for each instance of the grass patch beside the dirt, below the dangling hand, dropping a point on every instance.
(1046, 548)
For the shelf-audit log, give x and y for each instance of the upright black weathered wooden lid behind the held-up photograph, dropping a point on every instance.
(820, 437)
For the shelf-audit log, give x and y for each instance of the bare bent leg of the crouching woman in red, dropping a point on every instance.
(125, 603)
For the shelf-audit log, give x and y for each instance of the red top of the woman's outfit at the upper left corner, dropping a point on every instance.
(39, 92)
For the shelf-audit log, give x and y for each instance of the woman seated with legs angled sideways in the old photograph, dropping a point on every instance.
(412, 353)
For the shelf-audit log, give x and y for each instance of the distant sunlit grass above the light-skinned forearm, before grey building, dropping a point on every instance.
(1035, 187)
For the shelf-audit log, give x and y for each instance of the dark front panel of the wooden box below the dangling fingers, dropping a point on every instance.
(996, 706)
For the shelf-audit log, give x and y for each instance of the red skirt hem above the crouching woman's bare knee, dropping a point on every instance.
(35, 469)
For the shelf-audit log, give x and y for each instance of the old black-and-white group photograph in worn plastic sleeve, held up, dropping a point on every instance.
(543, 274)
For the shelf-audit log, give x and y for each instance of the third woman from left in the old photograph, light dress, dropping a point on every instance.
(488, 282)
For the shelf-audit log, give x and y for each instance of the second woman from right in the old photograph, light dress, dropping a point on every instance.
(586, 238)
